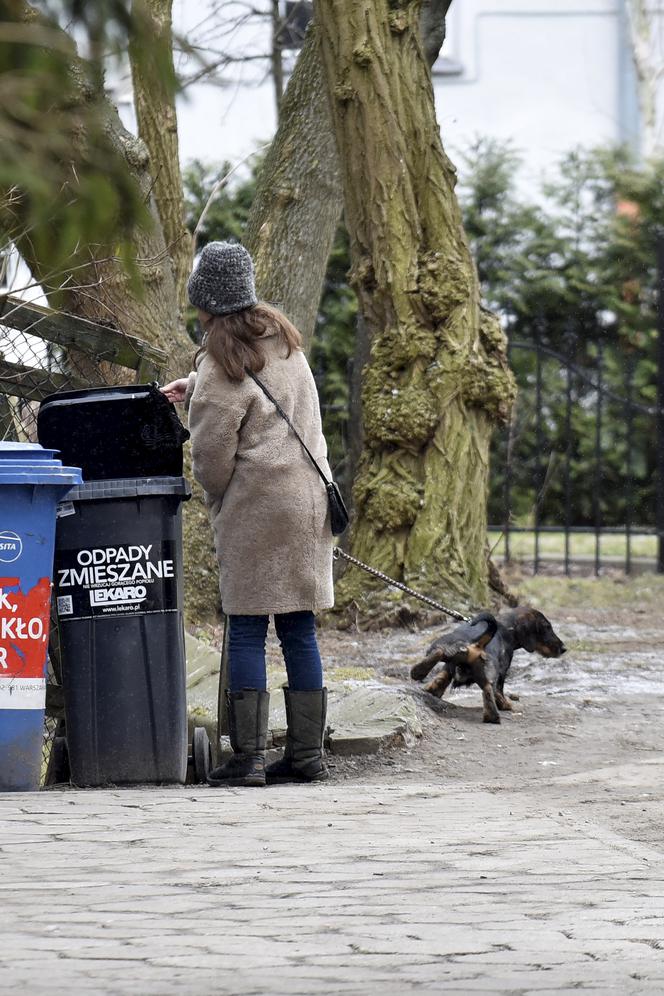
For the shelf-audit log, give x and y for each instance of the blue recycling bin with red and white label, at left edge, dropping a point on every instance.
(32, 482)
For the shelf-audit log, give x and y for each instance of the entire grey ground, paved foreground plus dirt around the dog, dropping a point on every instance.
(521, 858)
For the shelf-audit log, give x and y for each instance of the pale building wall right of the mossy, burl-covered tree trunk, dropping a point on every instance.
(547, 76)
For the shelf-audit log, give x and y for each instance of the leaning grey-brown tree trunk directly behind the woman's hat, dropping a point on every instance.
(297, 206)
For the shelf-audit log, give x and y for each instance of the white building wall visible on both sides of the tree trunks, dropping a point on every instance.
(548, 75)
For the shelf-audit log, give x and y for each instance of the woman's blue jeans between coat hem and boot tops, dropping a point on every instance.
(297, 636)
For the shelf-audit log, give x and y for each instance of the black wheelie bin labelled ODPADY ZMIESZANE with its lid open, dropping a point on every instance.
(118, 584)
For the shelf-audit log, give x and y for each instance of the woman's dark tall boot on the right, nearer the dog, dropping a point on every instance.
(303, 759)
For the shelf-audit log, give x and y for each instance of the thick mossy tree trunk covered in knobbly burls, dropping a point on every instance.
(437, 380)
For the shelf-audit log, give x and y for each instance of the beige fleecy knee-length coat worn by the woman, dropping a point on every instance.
(267, 504)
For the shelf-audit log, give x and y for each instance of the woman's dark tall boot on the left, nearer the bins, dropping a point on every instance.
(248, 715)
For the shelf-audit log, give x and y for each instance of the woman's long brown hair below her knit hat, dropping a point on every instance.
(234, 340)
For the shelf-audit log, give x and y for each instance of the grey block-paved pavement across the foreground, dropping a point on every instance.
(348, 889)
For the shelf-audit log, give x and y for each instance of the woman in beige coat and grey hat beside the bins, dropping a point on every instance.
(268, 508)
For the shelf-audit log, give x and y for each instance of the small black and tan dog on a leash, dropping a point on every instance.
(480, 653)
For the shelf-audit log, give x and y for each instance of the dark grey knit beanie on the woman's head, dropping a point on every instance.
(223, 281)
